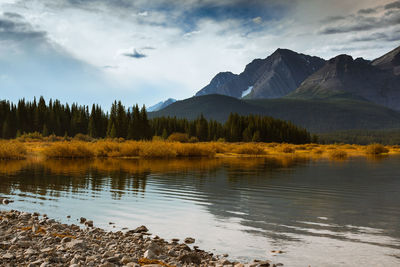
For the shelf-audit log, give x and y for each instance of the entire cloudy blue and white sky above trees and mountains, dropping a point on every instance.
(145, 51)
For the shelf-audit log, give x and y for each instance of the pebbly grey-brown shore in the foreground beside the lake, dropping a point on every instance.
(31, 239)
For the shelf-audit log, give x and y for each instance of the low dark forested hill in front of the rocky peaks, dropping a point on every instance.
(317, 115)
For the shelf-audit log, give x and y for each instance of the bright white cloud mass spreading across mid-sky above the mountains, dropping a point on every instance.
(183, 61)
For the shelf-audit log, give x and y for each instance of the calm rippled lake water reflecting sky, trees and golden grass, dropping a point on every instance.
(318, 212)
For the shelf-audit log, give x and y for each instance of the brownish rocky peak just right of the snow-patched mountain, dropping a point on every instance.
(357, 78)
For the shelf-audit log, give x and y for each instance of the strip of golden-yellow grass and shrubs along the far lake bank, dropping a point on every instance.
(16, 149)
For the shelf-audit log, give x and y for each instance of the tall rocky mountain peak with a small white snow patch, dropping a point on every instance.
(272, 77)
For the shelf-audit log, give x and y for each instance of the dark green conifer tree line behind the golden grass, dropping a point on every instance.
(55, 118)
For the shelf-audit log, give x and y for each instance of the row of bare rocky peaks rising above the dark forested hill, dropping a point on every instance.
(286, 73)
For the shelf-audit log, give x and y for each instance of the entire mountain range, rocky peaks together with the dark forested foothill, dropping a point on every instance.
(341, 93)
